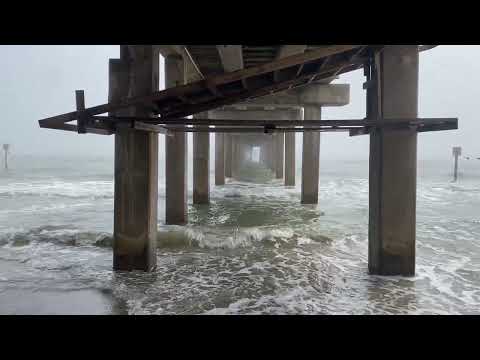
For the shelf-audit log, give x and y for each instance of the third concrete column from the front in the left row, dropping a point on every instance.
(201, 165)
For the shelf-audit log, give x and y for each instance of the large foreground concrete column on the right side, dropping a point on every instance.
(393, 165)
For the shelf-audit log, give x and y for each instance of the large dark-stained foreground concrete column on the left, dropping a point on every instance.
(136, 163)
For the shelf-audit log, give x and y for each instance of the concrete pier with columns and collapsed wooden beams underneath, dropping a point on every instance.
(256, 97)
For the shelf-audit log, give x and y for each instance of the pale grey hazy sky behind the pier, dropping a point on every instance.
(39, 81)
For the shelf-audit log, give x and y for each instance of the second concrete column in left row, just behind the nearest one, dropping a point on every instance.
(175, 155)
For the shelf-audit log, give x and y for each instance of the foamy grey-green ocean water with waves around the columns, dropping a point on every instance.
(254, 250)
